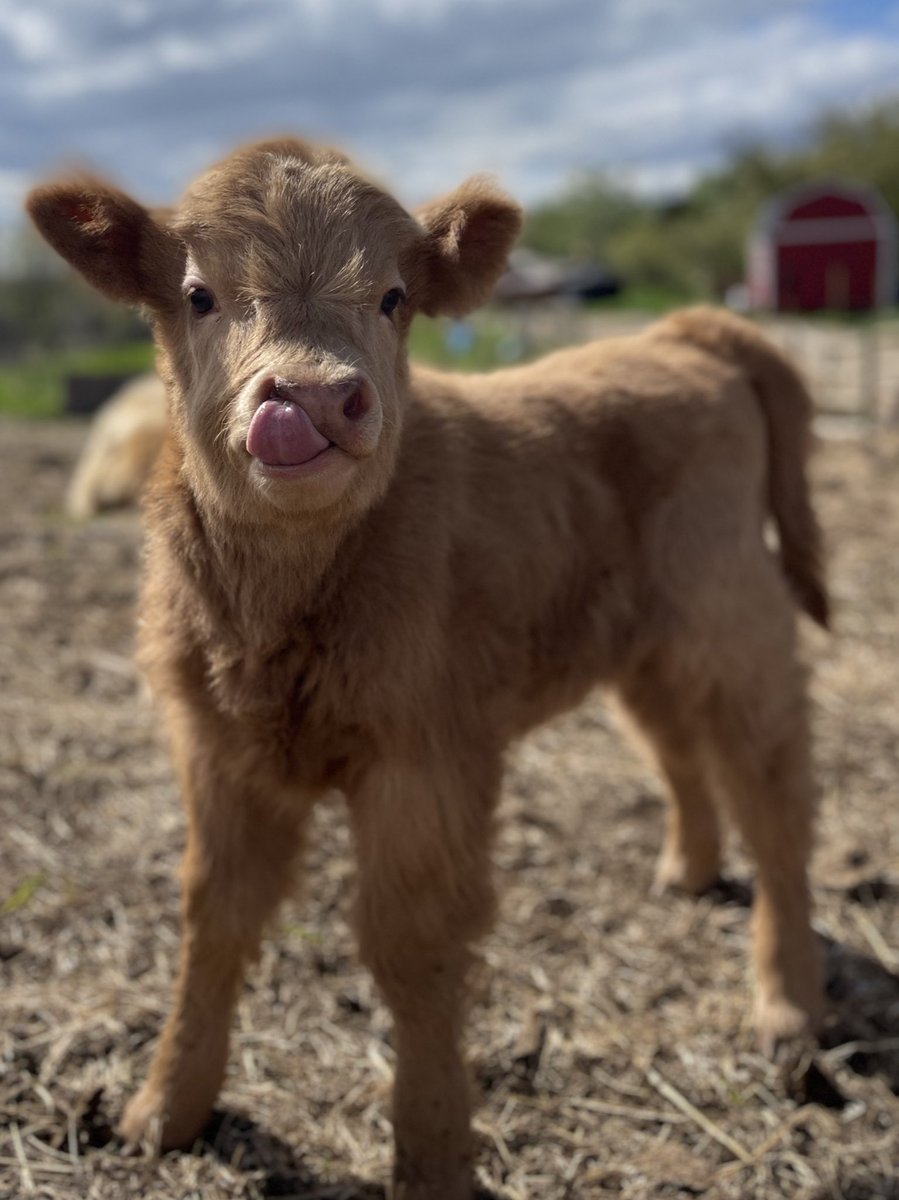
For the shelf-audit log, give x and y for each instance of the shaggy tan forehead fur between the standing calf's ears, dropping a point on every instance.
(284, 219)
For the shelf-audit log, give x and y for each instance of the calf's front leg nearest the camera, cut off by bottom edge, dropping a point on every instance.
(425, 895)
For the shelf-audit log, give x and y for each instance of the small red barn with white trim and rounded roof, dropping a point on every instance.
(828, 244)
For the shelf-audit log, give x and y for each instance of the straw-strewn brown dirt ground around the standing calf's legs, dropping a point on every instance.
(610, 1042)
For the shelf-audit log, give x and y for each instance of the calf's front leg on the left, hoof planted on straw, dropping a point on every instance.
(243, 839)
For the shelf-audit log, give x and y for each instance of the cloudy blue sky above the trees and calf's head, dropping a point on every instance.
(427, 92)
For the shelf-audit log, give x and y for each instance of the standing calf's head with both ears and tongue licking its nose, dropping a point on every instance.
(281, 291)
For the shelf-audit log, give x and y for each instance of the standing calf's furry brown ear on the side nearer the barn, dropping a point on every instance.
(469, 236)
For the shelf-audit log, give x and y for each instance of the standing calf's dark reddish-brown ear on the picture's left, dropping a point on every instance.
(113, 242)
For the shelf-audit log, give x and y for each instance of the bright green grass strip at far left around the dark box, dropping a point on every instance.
(35, 386)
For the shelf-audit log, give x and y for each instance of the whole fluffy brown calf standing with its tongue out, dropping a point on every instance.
(424, 568)
